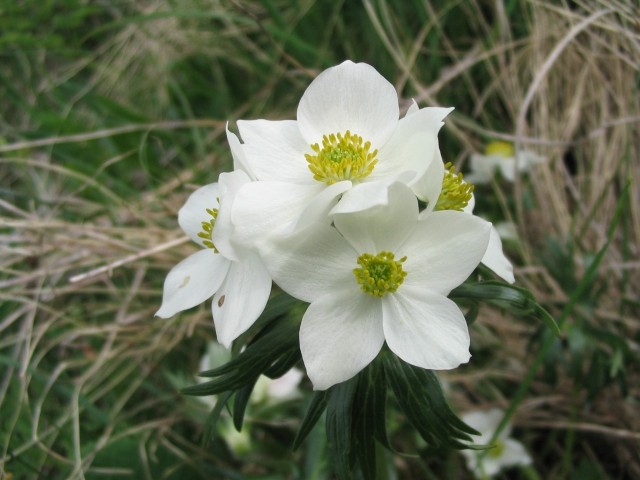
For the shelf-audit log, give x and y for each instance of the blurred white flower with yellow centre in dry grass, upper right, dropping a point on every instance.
(501, 156)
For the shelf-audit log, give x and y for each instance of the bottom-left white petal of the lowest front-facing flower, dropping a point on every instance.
(340, 334)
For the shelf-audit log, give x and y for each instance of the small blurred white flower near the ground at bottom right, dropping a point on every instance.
(506, 453)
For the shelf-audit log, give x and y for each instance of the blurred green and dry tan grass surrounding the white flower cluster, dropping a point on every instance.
(113, 112)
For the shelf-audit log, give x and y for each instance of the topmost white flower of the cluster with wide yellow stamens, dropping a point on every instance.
(348, 140)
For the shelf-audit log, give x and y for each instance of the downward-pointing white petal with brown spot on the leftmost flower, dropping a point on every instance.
(241, 298)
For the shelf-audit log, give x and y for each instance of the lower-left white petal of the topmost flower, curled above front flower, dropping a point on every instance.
(265, 209)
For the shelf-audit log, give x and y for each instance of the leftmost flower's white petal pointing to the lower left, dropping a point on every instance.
(192, 281)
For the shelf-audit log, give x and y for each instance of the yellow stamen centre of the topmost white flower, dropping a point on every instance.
(341, 157)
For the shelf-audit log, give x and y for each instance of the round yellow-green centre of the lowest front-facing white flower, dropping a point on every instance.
(379, 274)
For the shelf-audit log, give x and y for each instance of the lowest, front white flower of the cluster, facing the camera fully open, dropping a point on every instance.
(383, 274)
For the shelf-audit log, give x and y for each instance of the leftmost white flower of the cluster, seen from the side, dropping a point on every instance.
(236, 277)
